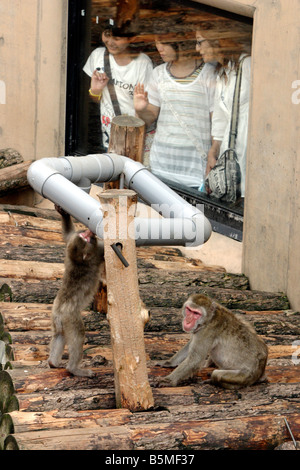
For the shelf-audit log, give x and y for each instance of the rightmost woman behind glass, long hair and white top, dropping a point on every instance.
(227, 54)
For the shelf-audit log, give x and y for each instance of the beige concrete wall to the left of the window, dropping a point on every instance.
(33, 69)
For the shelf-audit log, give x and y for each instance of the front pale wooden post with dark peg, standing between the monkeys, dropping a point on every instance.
(132, 388)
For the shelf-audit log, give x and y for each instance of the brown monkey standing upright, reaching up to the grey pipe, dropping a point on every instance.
(83, 263)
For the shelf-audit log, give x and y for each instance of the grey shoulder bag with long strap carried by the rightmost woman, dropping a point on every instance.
(224, 180)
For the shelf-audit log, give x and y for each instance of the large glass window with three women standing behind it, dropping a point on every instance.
(188, 57)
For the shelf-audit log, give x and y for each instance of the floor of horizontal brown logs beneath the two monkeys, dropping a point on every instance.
(57, 411)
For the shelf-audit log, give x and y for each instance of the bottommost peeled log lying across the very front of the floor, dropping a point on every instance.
(242, 433)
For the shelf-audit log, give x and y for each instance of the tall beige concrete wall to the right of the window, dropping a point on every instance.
(271, 247)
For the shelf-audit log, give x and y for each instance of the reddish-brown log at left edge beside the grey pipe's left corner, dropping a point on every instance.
(14, 178)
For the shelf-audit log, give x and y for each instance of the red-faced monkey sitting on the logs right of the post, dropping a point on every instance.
(218, 337)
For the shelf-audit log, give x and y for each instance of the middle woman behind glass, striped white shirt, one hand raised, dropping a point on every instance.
(180, 96)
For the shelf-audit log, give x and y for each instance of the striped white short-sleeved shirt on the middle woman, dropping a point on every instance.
(183, 134)
